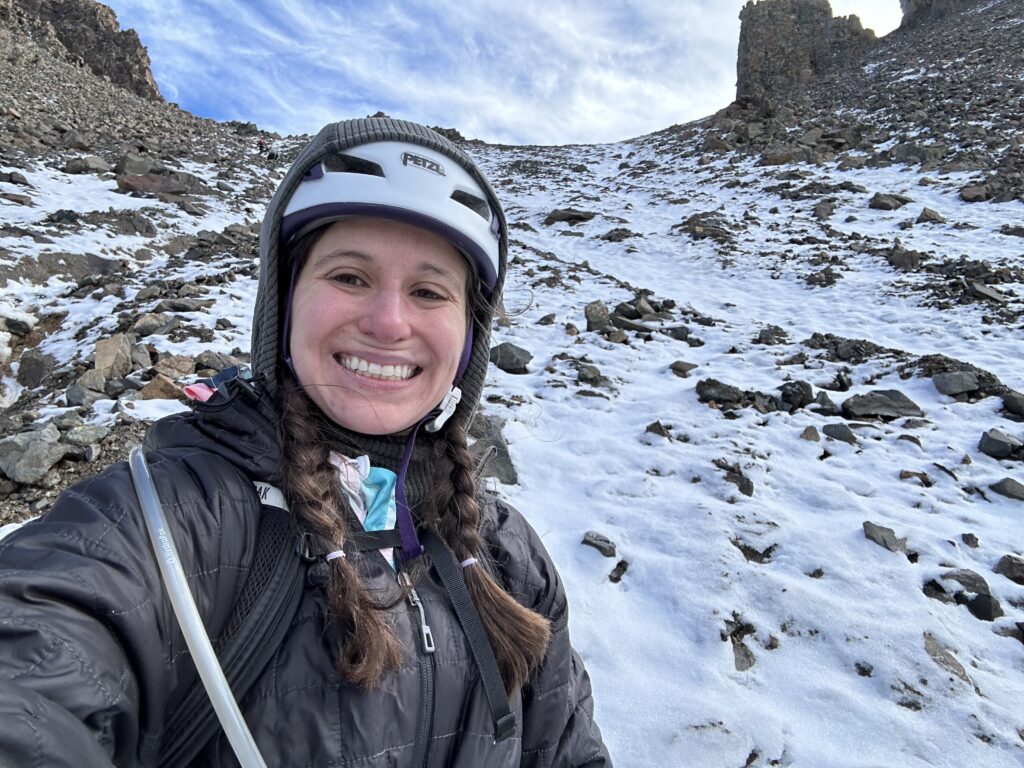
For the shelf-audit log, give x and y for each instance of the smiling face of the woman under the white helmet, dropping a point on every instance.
(378, 324)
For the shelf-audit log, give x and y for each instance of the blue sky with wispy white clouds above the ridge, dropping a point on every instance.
(546, 72)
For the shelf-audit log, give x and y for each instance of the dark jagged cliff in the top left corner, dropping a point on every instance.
(89, 32)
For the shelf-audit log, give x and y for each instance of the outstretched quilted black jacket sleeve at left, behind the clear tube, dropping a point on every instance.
(90, 649)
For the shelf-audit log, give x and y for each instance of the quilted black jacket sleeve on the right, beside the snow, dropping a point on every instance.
(559, 728)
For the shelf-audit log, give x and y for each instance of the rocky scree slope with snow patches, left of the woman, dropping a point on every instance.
(105, 192)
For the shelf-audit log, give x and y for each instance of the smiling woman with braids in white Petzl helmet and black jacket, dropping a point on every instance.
(382, 258)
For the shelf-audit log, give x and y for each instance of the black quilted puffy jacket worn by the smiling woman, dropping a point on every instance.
(91, 652)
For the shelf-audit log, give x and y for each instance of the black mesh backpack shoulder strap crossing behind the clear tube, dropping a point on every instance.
(258, 626)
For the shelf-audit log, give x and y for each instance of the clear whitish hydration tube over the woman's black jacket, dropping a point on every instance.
(192, 624)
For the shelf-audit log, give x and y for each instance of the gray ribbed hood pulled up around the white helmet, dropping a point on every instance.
(269, 316)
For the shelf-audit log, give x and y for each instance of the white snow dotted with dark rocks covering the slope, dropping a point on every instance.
(828, 601)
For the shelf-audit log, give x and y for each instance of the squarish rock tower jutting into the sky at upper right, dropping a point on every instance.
(788, 44)
